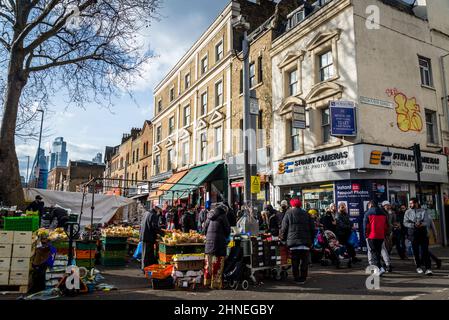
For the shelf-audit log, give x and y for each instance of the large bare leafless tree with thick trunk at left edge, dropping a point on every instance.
(88, 48)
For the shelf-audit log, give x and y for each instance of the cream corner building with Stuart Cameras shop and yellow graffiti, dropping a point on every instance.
(367, 92)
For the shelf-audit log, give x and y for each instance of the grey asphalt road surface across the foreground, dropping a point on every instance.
(324, 283)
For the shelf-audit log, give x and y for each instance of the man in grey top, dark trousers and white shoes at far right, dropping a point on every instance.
(416, 220)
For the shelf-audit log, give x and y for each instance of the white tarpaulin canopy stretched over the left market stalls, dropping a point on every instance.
(106, 206)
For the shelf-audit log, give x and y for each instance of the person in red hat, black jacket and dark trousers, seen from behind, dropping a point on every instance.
(298, 231)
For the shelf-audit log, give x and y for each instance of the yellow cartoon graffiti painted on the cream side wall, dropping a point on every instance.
(407, 110)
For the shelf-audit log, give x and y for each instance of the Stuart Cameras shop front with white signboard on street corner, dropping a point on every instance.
(359, 173)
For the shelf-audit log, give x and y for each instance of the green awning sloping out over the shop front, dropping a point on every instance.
(191, 181)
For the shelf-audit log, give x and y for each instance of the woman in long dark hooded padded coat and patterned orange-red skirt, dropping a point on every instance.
(217, 231)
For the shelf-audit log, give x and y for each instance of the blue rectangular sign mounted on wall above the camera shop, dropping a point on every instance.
(343, 118)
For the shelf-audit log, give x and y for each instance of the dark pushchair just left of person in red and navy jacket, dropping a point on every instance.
(334, 252)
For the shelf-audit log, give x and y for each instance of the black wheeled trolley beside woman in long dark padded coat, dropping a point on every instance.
(235, 272)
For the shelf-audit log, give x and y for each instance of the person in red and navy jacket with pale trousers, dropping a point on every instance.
(376, 228)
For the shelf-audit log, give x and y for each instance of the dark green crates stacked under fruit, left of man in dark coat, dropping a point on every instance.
(114, 251)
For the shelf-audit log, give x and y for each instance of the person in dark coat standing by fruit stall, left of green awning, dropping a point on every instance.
(148, 236)
